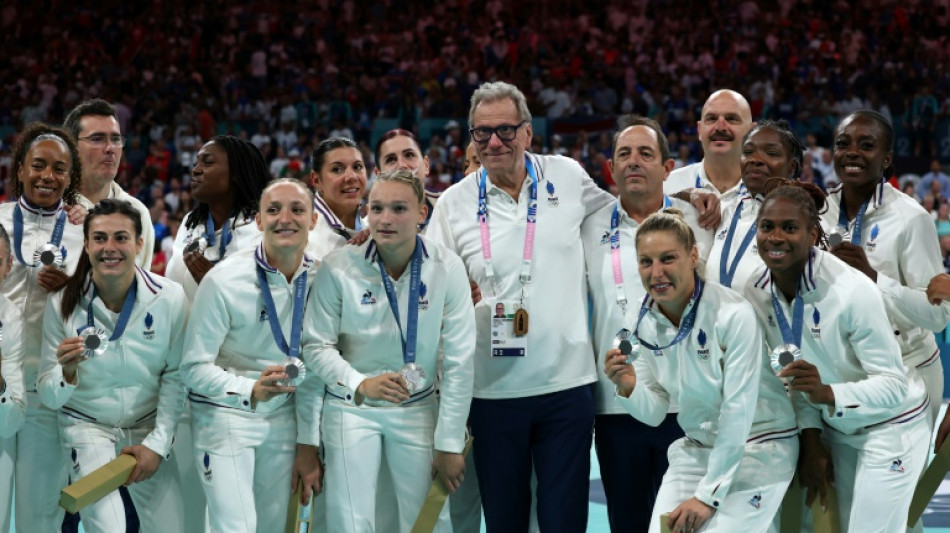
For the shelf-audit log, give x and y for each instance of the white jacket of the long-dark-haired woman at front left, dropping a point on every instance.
(137, 377)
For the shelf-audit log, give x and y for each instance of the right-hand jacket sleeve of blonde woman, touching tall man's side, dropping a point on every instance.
(458, 363)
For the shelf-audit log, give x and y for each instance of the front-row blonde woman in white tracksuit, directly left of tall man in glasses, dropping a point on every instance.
(381, 313)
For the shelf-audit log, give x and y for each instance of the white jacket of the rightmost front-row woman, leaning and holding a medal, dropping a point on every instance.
(846, 335)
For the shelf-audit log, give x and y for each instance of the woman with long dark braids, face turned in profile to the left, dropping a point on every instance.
(226, 180)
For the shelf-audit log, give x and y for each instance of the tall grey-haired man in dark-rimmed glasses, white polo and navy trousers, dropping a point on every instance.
(516, 225)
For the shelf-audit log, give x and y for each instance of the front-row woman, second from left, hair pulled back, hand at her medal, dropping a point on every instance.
(255, 415)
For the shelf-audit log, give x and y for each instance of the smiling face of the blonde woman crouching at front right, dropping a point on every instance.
(666, 269)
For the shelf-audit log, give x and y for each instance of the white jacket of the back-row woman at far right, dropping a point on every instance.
(900, 241)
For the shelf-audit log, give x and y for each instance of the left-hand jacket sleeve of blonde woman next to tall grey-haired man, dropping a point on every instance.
(321, 333)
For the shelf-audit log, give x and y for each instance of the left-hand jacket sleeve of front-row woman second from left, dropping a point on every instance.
(205, 333)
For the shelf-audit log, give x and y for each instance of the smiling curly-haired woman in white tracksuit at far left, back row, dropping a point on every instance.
(47, 179)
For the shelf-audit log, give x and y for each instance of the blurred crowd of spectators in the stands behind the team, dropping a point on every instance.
(288, 74)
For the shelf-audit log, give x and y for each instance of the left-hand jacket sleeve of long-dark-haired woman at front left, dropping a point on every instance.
(53, 389)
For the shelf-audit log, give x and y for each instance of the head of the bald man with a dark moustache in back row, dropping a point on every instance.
(725, 120)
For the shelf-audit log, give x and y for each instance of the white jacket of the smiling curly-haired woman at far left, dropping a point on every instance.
(21, 287)
